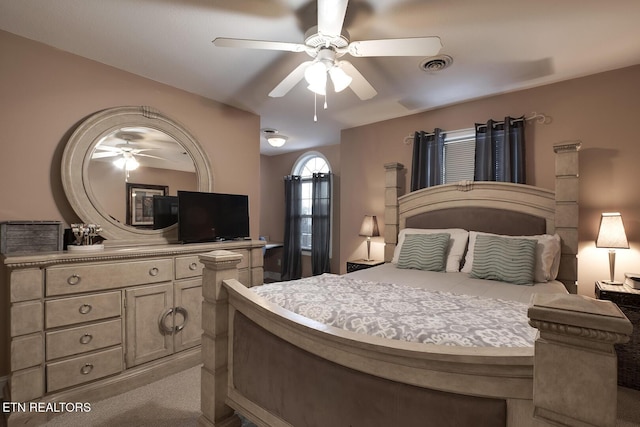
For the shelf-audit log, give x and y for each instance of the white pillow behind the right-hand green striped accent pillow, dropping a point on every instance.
(547, 254)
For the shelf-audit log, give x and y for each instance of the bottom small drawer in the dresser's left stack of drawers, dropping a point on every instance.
(84, 368)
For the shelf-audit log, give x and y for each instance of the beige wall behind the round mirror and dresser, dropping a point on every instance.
(46, 93)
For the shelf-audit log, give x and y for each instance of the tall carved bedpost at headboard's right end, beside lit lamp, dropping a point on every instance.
(567, 213)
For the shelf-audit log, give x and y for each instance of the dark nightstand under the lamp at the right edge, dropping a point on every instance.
(628, 299)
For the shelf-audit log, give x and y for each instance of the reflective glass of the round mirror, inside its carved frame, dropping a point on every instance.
(146, 157)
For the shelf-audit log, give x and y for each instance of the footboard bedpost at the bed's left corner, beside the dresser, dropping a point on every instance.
(218, 266)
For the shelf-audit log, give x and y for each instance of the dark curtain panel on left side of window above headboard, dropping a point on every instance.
(428, 159)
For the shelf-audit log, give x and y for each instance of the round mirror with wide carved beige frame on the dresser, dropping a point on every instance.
(122, 163)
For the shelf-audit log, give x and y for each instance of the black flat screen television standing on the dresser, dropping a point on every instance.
(210, 217)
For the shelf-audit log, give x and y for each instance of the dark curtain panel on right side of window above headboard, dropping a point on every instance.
(500, 152)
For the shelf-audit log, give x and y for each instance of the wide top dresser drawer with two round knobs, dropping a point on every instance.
(95, 277)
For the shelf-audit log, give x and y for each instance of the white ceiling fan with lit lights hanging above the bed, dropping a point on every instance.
(327, 42)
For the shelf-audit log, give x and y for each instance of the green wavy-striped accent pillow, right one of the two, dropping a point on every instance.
(504, 259)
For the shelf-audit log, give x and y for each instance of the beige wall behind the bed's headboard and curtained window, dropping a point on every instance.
(600, 110)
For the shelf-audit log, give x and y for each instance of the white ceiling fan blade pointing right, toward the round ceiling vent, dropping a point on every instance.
(415, 46)
